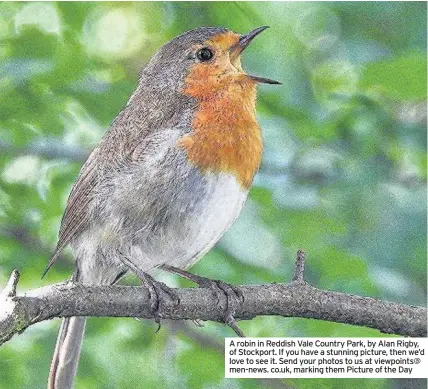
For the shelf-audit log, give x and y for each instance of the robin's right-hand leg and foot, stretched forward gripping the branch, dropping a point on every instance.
(233, 295)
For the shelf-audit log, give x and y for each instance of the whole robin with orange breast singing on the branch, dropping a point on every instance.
(168, 178)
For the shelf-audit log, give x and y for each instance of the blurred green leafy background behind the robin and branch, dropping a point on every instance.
(343, 174)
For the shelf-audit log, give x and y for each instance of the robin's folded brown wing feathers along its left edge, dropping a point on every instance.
(76, 215)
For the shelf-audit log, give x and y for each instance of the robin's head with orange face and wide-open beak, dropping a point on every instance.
(204, 61)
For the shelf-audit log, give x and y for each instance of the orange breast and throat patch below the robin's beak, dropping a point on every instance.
(225, 135)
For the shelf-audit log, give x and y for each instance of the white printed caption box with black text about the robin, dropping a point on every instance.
(326, 358)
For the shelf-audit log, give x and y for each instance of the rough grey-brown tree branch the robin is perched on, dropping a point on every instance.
(296, 299)
